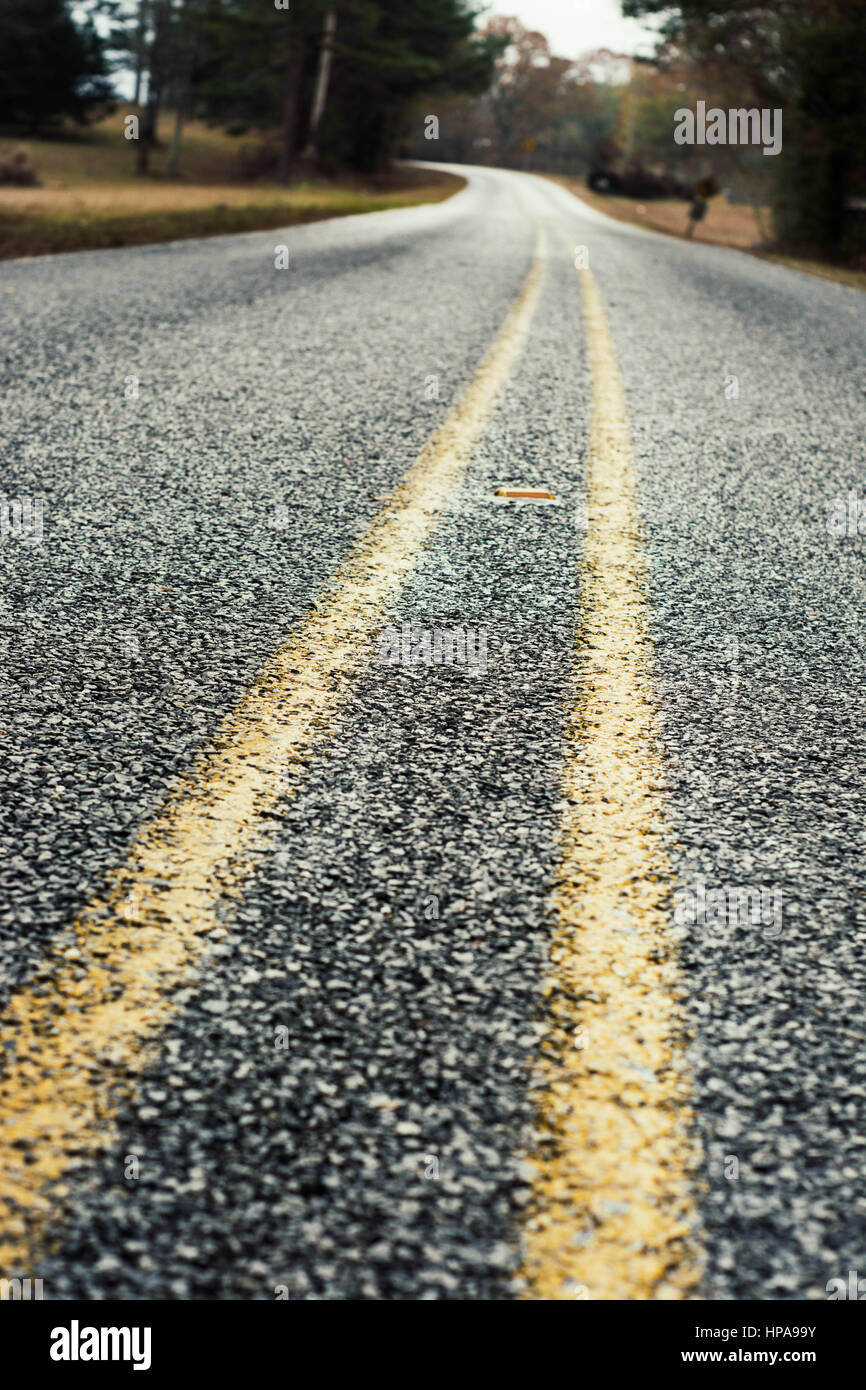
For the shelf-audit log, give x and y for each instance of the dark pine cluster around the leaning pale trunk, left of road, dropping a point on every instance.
(251, 63)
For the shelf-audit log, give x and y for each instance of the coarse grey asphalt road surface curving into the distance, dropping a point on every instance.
(341, 1095)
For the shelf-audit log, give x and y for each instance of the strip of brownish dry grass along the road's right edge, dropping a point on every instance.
(726, 224)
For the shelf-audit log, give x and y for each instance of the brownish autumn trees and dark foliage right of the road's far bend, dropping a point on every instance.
(618, 113)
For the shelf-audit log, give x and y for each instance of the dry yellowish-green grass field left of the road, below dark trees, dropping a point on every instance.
(90, 195)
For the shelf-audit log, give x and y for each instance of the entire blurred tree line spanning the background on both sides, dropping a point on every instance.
(340, 84)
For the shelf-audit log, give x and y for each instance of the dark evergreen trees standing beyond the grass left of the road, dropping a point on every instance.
(333, 81)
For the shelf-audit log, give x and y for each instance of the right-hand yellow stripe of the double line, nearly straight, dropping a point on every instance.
(612, 1214)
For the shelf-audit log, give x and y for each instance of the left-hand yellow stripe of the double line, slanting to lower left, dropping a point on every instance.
(91, 1020)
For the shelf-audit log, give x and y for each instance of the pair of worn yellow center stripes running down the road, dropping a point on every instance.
(612, 1213)
